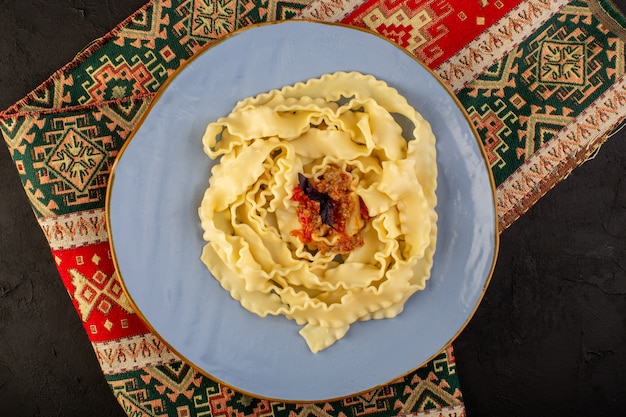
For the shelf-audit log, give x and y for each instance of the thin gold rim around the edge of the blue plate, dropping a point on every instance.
(147, 112)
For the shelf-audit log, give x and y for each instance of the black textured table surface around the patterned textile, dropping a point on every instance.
(548, 339)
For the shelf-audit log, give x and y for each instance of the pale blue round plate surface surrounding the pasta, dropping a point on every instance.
(160, 177)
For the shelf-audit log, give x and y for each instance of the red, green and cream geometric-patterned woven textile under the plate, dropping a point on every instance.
(542, 80)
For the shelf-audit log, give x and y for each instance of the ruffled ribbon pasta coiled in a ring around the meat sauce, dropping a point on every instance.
(345, 119)
